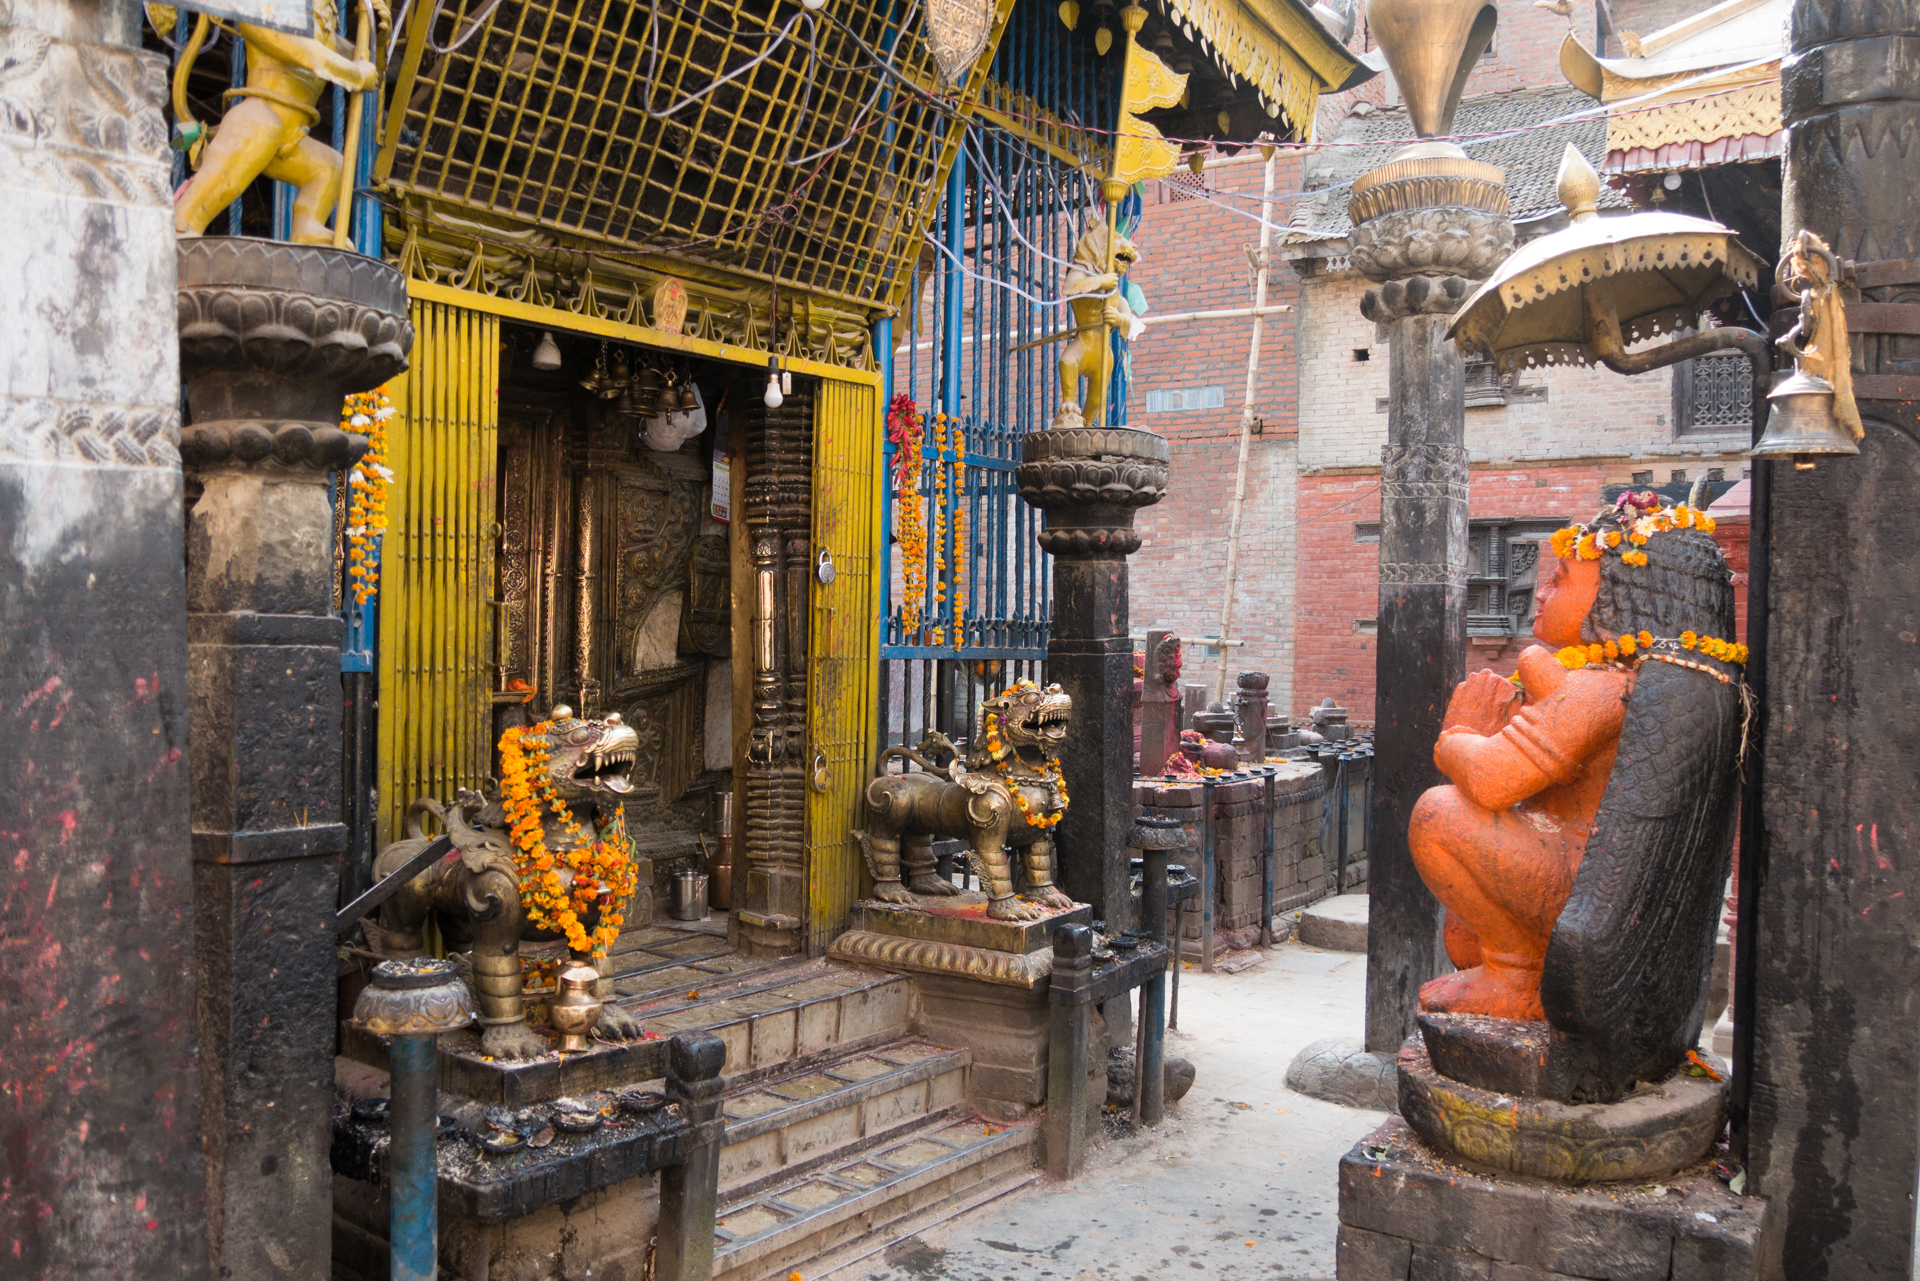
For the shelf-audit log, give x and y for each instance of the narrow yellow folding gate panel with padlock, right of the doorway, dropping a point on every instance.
(844, 679)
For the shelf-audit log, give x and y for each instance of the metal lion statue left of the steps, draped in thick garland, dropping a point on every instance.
(477, 900)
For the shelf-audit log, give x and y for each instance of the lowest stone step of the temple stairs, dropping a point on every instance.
(946, 1167)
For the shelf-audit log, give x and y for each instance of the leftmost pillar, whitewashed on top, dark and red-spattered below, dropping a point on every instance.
(103, 1163)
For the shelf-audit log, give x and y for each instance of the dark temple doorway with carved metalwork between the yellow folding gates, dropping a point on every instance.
(612, 569)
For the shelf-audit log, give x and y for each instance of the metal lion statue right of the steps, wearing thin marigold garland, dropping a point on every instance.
(1005, 794)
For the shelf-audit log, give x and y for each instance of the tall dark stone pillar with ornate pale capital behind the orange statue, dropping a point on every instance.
(1426, 226)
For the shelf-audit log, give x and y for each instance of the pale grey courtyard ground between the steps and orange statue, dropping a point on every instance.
(1236, 1186)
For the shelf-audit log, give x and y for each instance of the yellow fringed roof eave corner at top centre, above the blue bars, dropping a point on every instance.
(1278, 47)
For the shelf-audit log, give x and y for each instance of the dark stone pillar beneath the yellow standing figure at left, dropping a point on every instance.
(272, 341)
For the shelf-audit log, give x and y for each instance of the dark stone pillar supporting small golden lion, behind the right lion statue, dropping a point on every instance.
(1090, 483)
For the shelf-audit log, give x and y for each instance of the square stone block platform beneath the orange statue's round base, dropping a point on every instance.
(1408, 1215)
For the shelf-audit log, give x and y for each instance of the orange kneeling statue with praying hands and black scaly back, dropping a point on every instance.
(1581, 846)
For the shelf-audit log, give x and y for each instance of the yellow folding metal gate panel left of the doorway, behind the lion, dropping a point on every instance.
(437, 568)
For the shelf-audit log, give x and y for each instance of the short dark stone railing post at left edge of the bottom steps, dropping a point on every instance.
(690, 1192)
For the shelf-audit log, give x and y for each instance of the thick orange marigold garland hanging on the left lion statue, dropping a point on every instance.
(604, 869)
